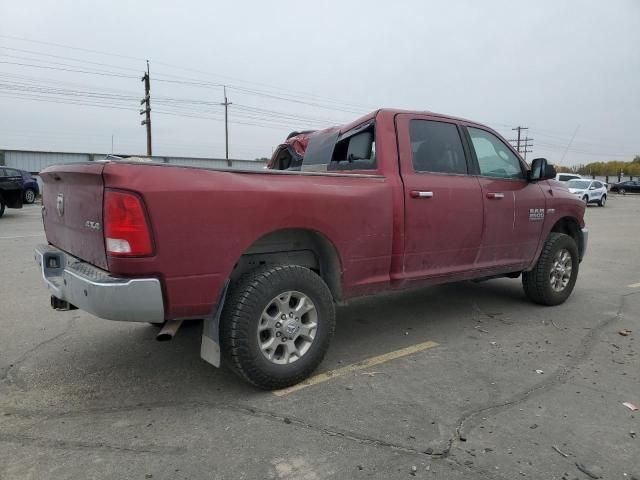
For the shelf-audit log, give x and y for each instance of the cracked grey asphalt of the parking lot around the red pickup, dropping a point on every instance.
(87, 398)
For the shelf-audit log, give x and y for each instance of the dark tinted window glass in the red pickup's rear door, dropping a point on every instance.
(436, 147)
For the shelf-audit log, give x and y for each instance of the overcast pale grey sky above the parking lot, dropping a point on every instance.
(70, 72)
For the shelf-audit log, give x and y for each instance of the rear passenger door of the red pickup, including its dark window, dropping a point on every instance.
(443, 203)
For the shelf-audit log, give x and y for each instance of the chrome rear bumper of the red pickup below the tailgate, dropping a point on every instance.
(96, 291)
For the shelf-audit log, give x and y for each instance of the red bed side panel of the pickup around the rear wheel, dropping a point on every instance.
(203, 220)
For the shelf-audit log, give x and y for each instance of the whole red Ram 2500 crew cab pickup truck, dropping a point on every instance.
(394, 200)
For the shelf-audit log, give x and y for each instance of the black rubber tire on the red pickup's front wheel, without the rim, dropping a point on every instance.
(537, 282)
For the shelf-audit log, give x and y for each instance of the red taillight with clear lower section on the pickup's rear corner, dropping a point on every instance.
(126, 229)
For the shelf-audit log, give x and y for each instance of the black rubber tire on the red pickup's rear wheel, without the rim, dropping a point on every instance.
(242, 311)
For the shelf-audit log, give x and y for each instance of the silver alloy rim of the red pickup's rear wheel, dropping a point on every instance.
(287, 327)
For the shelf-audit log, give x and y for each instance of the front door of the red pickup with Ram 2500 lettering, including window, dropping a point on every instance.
(514, 208)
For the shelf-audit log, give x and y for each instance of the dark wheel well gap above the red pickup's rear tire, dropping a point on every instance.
(300, 246)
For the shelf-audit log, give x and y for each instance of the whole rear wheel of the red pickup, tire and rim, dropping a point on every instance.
(276, 325)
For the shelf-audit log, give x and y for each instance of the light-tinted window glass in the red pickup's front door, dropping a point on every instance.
(494, 157)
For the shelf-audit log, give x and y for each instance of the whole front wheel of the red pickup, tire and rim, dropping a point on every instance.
(554, 275)
